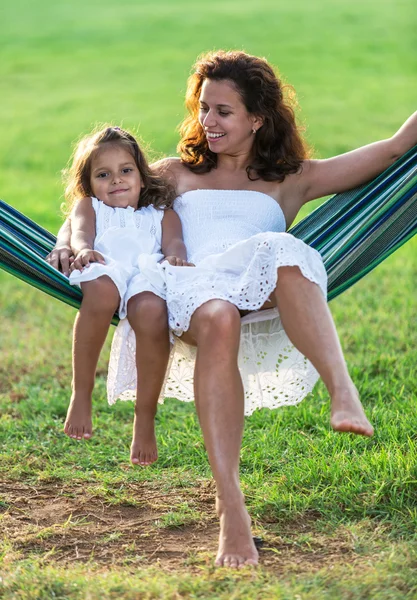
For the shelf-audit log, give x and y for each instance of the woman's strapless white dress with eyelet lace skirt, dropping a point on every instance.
(237, 240)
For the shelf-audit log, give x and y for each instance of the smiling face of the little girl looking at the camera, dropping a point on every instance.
(115, 178)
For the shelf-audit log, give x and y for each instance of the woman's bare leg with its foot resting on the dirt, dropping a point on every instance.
(215, 329)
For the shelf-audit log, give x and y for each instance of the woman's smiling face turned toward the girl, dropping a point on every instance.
(226, 123)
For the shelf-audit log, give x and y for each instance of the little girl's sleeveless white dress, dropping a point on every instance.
(130, 242)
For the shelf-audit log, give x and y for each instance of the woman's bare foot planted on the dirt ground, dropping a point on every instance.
(236, 546)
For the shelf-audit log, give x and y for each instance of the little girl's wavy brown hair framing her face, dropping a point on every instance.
(155, 190)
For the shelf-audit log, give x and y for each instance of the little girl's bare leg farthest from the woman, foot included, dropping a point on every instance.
(100, 301)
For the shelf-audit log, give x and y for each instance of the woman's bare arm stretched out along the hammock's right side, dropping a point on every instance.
(346, 171)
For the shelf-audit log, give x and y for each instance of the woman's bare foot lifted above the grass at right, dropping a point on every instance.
(347, 412)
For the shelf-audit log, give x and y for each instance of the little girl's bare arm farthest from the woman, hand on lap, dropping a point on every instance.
(83, 232)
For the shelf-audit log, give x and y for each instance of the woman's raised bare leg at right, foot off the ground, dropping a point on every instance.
(309, 325)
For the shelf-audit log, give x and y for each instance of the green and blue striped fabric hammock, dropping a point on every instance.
(353, 232)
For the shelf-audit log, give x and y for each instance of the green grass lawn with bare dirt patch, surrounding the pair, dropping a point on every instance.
(338, 514)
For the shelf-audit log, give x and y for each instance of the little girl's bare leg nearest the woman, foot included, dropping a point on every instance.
(147, 315)
